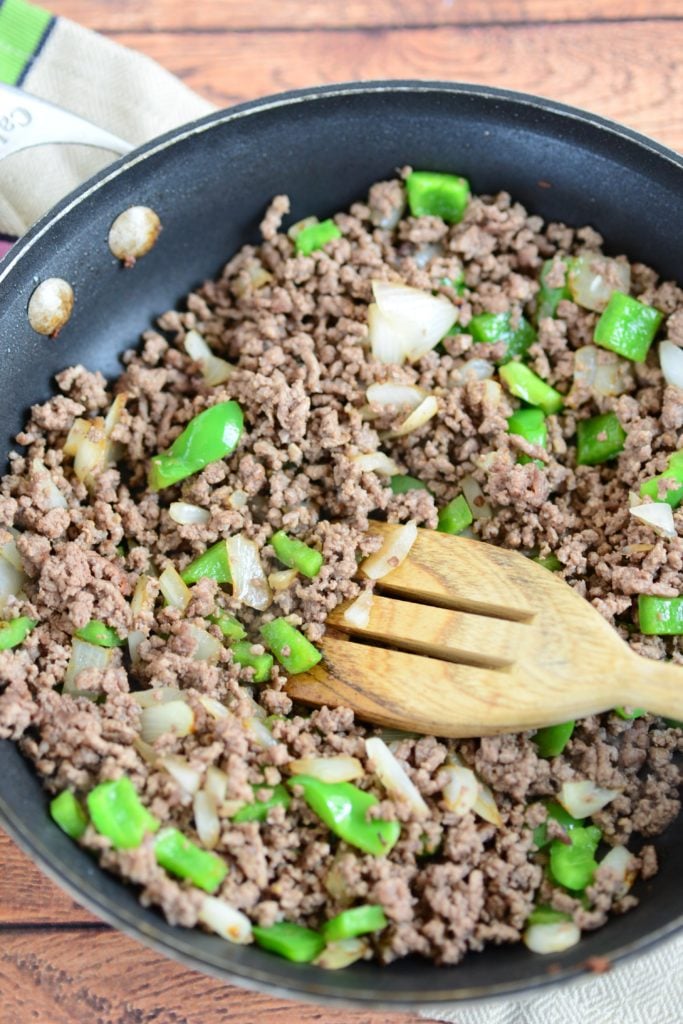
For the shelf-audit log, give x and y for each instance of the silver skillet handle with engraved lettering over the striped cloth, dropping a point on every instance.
(27, 121)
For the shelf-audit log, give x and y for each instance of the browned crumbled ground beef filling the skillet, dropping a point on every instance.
(297, 336)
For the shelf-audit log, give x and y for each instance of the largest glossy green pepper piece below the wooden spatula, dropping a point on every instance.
(344, 808)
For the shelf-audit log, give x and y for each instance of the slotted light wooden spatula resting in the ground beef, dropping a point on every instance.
(468, 639)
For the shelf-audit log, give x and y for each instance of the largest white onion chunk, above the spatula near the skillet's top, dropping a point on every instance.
(407, 323)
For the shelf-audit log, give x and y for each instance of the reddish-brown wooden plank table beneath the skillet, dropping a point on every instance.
(58, 964)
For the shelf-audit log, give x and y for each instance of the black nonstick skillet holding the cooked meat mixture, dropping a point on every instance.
(210, 183)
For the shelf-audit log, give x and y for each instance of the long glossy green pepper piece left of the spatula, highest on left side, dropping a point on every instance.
(210, 437)
